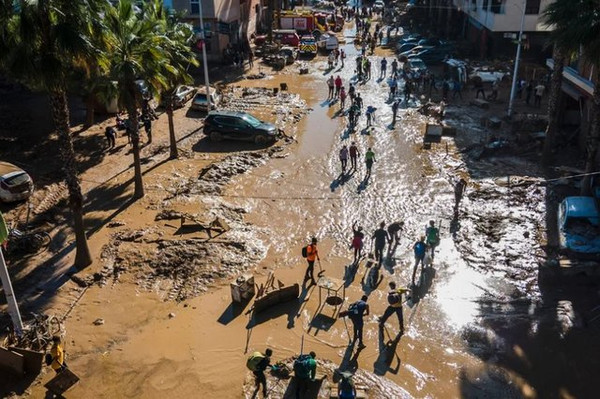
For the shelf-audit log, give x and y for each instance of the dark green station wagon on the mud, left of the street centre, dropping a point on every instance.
(235, 125)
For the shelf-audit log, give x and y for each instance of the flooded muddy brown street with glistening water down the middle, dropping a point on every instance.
(479, 322)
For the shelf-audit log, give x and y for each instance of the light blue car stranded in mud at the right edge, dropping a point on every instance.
(579, 226)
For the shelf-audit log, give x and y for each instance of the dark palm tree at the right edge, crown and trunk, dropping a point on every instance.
(576, 26)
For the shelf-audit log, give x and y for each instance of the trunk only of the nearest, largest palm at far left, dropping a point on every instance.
(60, 114)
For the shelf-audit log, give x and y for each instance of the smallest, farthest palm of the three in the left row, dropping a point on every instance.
(177, 44)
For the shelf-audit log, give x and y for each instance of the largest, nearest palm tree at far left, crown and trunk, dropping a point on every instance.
(47, 40)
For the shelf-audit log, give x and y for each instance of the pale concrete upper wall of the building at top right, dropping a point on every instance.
(509, 21)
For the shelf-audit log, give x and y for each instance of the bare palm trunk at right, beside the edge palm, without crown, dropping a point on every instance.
(553, 102)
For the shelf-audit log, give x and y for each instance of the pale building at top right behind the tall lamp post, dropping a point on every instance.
(493, 26)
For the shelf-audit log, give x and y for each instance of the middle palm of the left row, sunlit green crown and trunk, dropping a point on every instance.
(135, 54)
